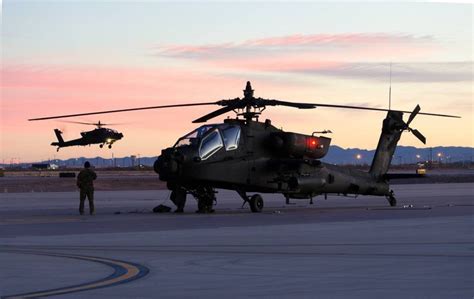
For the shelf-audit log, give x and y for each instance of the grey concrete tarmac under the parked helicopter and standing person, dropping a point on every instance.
(335, 248)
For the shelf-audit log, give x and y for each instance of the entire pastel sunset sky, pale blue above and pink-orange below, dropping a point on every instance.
(68, 57)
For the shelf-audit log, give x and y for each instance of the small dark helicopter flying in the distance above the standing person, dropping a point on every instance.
(100, 135)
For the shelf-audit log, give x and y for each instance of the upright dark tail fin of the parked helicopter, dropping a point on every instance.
(393, 126)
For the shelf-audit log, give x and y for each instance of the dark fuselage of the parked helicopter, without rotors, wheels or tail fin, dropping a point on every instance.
(257, 157)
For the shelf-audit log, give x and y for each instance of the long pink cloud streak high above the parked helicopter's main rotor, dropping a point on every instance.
(324, 53)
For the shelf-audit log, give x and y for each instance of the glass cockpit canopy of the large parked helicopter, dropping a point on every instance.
(211, 138)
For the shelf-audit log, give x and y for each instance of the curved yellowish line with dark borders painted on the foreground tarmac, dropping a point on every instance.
(124, 272)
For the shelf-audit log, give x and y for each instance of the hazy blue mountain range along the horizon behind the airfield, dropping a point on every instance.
(336, 155)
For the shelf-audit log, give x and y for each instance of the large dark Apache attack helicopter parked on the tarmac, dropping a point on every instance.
(249, 156)
